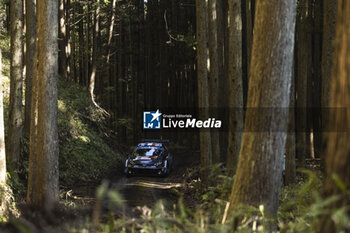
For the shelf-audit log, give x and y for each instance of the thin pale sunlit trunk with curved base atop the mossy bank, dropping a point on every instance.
(94, 52)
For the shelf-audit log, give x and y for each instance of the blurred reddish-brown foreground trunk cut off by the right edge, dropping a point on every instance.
(338, 148)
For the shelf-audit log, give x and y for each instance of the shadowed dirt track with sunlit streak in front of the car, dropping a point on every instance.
(143, 191)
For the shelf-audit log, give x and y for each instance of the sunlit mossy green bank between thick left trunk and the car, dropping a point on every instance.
(86, 153)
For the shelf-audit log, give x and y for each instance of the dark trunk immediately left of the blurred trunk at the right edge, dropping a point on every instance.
(329, 21)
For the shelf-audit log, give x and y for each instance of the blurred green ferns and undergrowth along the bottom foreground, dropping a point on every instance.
(301, 208)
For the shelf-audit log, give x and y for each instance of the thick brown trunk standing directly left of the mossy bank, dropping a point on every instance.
(47, 136)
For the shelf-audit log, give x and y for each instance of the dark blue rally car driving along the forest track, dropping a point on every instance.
(150, 155)
